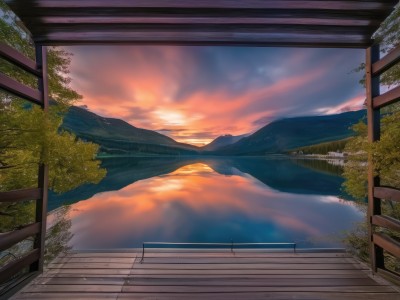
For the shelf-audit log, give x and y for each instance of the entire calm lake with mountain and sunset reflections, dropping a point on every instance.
(209, 200)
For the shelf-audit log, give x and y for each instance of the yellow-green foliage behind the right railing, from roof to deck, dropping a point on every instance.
(385, 153)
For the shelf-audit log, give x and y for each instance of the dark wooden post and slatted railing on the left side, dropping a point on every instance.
(37, 230)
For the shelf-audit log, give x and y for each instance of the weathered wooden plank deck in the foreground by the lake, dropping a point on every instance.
(202, 274)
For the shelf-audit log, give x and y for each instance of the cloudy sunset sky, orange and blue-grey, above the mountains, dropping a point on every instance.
(195, 94)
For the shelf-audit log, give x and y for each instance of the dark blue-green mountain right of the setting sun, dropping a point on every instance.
(286, 134)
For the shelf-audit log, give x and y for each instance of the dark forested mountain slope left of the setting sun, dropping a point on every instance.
(116, 136)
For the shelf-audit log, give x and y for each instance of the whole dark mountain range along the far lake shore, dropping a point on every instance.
(117, 137)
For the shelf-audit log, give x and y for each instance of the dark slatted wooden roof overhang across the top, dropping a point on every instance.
(313, 23)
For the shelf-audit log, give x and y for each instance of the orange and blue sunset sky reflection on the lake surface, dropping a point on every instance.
(195, 198)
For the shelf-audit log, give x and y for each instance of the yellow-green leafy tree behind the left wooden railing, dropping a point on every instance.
(30, 136)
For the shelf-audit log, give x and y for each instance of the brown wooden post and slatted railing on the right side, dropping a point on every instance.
(379, 241)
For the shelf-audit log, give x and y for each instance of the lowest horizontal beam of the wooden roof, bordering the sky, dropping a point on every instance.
(203, 38)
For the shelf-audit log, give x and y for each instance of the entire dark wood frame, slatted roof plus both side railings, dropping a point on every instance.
(292, 23)
